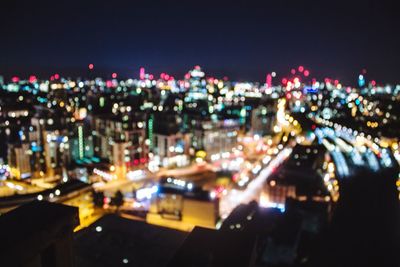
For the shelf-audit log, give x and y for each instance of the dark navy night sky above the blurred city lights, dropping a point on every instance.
(239, 39)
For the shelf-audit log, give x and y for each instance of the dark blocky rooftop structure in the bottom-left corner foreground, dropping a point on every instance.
(38, 234)
